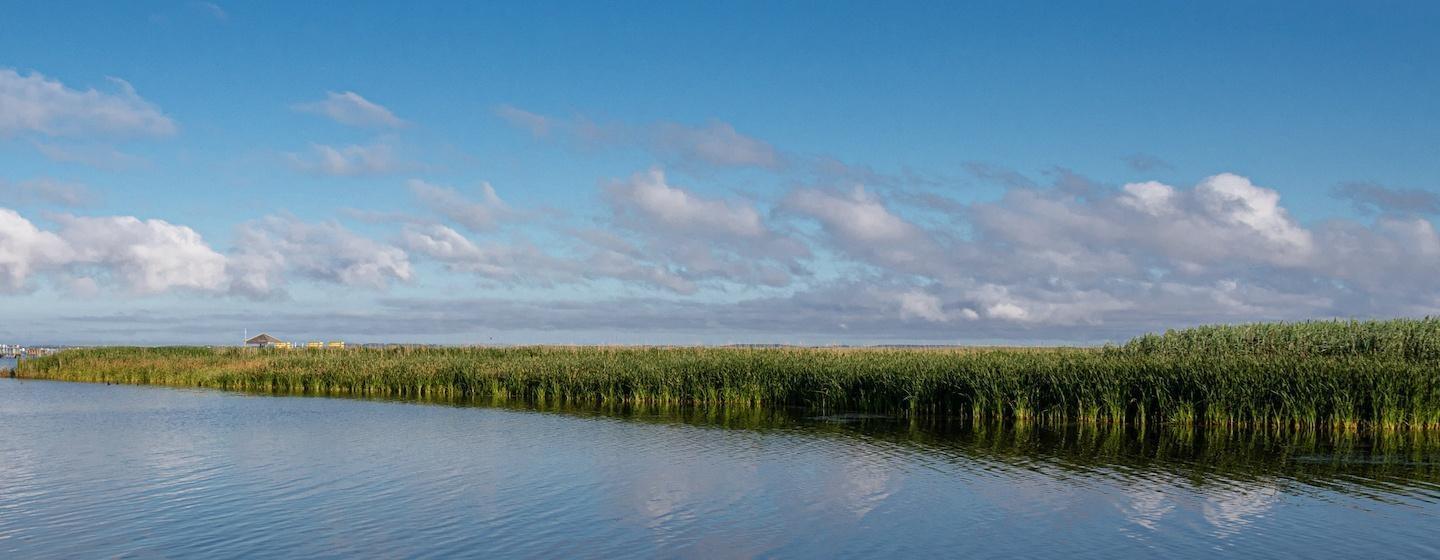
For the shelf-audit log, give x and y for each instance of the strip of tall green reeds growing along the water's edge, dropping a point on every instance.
(1317, 375)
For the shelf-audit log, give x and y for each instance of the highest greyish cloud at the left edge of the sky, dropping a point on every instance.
(38, 104)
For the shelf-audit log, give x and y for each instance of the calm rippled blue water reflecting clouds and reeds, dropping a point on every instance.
(104, 471)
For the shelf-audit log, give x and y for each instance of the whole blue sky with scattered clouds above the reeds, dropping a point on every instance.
(712, 173)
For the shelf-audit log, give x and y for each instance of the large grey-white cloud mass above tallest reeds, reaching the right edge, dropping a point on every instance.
(1143, 256)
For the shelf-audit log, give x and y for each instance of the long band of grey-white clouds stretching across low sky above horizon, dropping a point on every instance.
(1038, 263)
